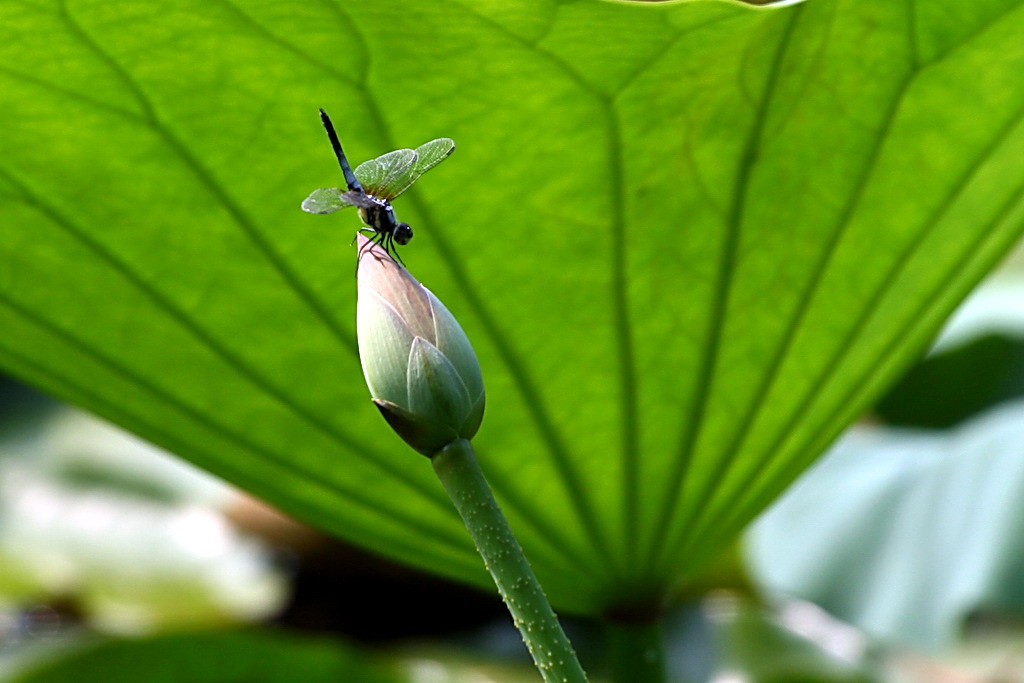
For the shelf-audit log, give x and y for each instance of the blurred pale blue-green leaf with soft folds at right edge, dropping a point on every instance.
(928, 533)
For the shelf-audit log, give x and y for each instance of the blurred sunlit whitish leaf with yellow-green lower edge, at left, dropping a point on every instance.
(135, 540)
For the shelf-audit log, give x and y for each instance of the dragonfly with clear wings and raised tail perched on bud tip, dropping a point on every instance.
(374, 184)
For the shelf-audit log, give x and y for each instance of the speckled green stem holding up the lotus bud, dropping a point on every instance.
(460, 475)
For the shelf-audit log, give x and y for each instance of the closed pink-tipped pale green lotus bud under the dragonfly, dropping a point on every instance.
(419, 365)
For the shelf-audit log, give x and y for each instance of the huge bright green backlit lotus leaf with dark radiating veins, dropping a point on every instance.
(691, 242)
